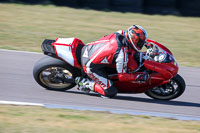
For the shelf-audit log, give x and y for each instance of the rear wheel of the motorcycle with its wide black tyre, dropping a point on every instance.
(54, 74)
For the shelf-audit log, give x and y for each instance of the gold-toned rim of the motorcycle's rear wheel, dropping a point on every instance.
(54, 77)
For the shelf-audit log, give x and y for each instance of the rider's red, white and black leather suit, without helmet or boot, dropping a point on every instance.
(110, 50)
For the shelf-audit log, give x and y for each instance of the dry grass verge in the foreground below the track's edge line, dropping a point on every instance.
(27, 119)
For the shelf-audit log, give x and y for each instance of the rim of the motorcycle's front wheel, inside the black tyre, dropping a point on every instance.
(166, 91)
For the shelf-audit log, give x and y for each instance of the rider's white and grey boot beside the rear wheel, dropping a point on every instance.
(84, 84)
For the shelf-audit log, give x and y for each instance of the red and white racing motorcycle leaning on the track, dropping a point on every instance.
(58, 70)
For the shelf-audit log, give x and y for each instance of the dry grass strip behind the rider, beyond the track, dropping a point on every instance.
(24, 27)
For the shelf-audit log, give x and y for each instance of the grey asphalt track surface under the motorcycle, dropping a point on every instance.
(17, 84)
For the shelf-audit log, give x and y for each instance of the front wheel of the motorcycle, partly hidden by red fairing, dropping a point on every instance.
(171, 90)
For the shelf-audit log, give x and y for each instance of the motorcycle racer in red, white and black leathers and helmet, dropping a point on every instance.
(119, 49)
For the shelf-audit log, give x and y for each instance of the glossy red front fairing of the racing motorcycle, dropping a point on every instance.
(162, 73)
